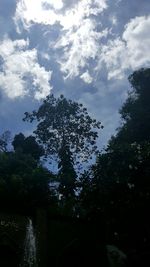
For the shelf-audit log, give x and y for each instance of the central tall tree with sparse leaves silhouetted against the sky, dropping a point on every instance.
(67, 131)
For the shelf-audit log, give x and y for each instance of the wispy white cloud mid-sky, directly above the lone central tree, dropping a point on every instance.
(79, 46)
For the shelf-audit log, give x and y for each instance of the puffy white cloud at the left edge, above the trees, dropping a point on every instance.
(19, 66)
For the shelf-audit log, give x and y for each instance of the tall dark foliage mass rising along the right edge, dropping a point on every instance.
(120, 184)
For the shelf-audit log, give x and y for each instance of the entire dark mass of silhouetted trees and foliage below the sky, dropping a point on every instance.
(112, 196)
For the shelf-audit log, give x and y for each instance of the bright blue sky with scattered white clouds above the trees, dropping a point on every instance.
(84, 49)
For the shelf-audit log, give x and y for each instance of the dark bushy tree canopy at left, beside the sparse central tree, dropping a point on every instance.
(24, 182)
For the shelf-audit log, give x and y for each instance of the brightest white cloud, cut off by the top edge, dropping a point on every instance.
(48, 12)
